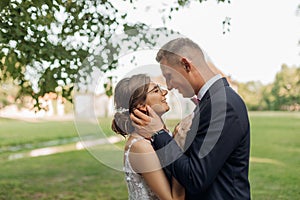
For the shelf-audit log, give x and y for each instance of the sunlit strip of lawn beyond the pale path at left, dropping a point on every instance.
(18, 132)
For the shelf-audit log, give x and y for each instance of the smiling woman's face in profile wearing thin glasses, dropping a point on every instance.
(156, 99)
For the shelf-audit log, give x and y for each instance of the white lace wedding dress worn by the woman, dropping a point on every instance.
(137, 187)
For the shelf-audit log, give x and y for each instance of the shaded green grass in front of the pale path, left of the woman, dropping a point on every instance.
(71, 175)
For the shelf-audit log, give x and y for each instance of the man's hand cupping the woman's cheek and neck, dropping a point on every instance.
(146, 125)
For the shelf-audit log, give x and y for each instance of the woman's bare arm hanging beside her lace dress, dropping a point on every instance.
(144, 160)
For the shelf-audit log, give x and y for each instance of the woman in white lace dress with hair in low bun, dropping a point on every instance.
(144, 176)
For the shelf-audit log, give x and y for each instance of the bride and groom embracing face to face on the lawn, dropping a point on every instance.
(207, 155)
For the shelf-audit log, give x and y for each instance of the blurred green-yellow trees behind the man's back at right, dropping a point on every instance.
(282, 94)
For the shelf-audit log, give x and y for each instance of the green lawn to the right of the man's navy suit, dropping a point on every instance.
(275, 140)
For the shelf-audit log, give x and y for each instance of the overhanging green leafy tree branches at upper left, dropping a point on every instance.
(45, 44)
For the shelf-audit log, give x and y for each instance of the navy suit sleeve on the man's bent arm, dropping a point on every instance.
(214, 137)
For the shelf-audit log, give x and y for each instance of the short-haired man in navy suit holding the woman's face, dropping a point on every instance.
(215, 161)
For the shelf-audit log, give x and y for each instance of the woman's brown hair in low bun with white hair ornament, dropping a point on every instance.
(129, 93)
